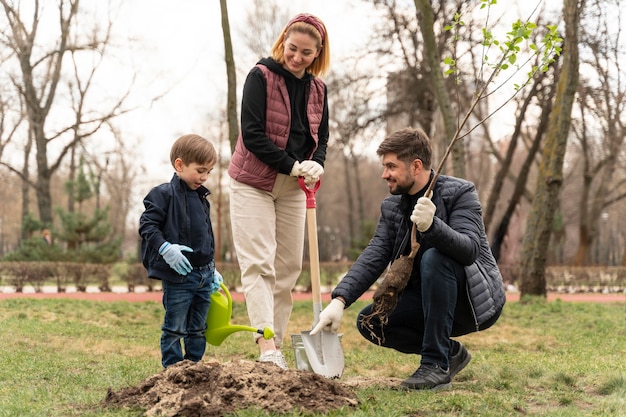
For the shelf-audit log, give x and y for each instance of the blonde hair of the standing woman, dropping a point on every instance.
(321, 64)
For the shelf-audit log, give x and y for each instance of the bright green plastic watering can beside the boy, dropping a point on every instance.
(218, 319)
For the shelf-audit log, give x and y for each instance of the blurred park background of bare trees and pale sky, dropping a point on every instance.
(92, 101)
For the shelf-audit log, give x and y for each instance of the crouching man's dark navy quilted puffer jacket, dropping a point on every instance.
(457, 231)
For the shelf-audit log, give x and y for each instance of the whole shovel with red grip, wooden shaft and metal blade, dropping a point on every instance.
(323, 349)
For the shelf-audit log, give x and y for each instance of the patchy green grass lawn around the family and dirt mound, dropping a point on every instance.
(59, 357)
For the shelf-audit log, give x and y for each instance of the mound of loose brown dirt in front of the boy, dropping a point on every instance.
(215, 389)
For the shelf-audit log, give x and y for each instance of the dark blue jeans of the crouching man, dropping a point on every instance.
(428, 313)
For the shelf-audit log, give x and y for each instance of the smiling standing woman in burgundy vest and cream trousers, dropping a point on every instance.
(284, 134)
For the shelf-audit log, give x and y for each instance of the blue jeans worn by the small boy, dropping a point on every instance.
(186, 308)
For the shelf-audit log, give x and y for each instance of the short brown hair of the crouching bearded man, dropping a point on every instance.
(408, 144)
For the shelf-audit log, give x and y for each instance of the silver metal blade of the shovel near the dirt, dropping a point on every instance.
(323, 350)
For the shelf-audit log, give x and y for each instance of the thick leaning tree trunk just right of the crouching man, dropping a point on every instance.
(550, 179)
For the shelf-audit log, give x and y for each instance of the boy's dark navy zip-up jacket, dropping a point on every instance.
(177, 214)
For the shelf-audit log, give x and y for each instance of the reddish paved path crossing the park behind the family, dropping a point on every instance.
(298, 296)
